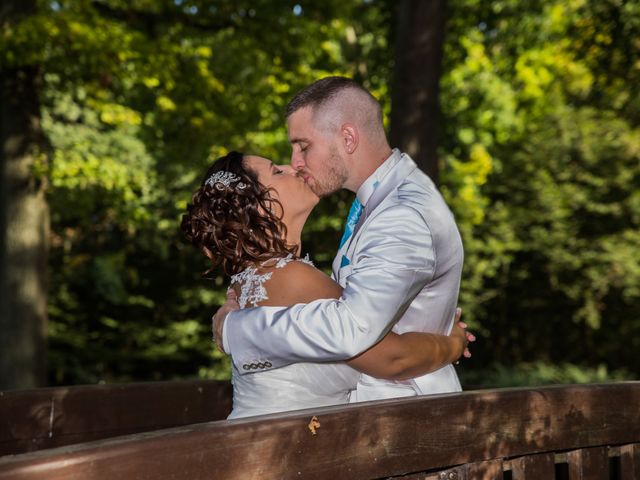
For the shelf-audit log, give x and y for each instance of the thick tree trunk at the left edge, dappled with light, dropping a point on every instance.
(24, 222)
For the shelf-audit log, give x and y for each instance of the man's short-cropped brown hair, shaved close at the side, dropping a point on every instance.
(321, 93)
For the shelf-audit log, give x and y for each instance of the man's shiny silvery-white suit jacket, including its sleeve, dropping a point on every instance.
(400, 269)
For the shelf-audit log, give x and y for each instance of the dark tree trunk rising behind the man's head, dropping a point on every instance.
(415, 110)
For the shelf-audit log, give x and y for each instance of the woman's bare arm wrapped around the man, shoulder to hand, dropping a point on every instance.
(395, 357)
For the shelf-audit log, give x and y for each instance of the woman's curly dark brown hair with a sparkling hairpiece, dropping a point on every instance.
(235, 227)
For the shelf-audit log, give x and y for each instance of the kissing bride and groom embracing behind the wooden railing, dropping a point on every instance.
(385, 324)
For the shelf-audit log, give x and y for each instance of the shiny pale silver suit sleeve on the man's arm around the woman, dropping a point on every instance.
(394, 260)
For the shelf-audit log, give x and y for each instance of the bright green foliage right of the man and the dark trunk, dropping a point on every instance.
(542, 167)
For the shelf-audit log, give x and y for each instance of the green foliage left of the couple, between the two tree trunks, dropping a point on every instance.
(138, 98)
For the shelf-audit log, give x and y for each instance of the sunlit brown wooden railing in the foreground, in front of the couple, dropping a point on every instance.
(573, 432)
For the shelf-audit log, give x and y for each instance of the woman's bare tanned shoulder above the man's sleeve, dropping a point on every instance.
(299, 282)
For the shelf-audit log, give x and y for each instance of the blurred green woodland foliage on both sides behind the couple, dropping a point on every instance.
(538, 157)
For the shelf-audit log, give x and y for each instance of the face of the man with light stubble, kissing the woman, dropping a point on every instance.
(315, 154)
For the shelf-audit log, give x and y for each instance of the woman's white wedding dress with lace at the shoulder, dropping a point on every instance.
(293, 387)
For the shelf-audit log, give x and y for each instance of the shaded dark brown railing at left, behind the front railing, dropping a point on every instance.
(51, 417)
